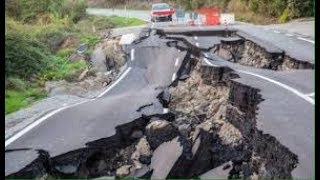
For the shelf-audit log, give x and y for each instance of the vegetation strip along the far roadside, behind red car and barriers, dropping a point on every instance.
(254, 11)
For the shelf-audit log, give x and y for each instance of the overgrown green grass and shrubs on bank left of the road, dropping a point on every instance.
(60, 37)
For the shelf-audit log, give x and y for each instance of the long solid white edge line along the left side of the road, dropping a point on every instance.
(37, 122)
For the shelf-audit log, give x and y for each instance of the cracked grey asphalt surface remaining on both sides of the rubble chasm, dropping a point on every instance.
(286, 112)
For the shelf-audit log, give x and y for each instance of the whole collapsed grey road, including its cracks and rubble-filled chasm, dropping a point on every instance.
(181, 109)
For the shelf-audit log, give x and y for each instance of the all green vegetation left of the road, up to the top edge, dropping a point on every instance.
(40, 38)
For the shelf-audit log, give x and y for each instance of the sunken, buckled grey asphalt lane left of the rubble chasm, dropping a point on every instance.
(71, 129)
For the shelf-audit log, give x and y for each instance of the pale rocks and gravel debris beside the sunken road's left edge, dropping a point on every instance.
(106, 63)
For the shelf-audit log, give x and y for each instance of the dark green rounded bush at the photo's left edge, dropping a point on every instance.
(24, 56)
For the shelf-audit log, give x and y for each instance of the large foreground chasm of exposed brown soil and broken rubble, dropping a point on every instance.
(214, 121)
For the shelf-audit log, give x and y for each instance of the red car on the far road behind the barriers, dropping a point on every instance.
(161, 12)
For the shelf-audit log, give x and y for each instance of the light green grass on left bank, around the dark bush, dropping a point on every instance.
(20, 92)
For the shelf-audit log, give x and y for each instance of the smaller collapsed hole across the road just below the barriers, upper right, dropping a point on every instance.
(239, 47)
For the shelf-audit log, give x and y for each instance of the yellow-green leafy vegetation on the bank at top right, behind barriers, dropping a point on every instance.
(258, 11)
